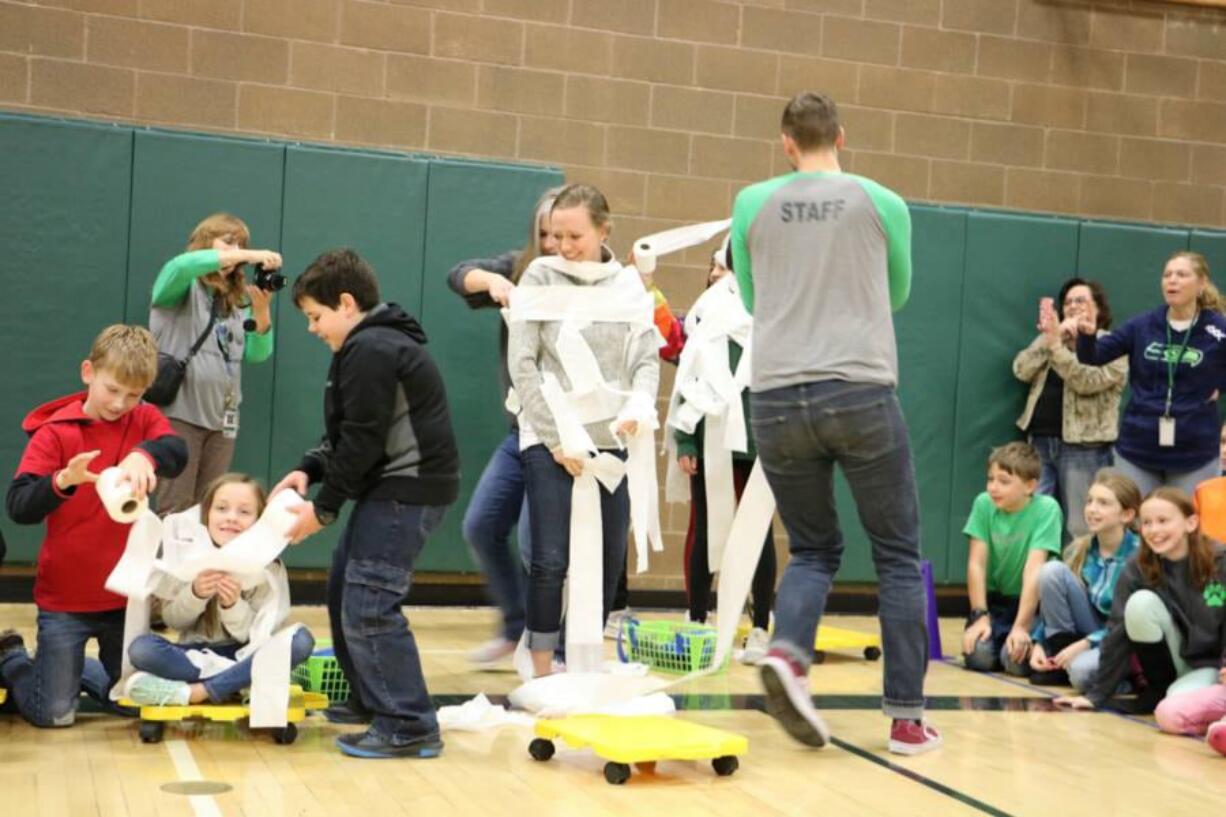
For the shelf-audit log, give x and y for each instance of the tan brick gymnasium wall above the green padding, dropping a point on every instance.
(1100, 109)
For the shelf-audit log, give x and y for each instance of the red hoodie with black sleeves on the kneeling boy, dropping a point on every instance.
(83, 544)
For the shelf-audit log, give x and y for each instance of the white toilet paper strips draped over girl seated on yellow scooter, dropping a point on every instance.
(187, 551)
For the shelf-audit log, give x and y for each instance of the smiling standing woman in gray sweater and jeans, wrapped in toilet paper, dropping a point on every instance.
(583, 359)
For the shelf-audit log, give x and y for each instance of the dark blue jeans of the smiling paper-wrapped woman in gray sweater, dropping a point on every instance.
(549, 489)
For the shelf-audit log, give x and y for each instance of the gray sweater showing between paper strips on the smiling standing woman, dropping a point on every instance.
(628, 356)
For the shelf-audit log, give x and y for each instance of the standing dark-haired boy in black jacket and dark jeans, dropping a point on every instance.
(390, 447)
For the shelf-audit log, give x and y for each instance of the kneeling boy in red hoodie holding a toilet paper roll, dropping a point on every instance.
(72, 442)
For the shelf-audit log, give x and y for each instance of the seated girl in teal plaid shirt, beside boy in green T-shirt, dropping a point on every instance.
(1076, 596)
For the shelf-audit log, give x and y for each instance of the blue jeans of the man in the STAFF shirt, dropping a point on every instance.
(802, 432)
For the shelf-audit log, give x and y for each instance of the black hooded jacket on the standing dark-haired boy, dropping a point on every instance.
(388, 429)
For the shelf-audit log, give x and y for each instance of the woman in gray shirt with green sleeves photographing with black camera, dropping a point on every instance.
(205, 315)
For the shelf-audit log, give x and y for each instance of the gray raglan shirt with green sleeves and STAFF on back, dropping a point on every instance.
(823, 259)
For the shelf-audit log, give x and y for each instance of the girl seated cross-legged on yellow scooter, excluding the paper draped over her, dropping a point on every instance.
(211, 614)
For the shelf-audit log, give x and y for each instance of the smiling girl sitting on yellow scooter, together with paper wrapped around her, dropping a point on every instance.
(227, 602)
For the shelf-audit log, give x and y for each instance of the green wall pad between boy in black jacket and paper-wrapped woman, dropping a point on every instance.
(475, 212)
